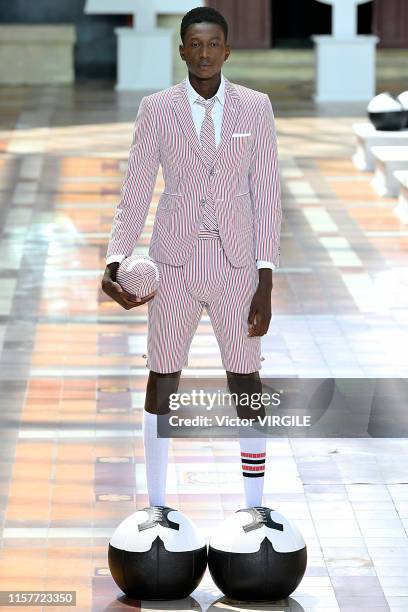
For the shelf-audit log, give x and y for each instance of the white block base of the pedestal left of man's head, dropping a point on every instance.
(144, 59)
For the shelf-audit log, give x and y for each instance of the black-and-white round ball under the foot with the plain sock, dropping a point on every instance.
(157, 553)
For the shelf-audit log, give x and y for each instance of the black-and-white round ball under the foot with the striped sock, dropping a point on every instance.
(257, 555)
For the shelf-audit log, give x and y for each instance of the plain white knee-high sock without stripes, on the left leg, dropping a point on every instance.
(156, 459)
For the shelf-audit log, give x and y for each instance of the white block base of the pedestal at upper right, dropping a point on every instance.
(345, 68)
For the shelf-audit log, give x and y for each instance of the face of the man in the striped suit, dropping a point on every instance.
(204, 49)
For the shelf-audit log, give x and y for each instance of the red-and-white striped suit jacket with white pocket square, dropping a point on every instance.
(243, 178)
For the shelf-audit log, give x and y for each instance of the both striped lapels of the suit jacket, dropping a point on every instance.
(182, 110)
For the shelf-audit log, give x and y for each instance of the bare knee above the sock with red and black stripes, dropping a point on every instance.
(248, 388)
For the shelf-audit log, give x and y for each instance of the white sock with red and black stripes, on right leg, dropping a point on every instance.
(253, 456)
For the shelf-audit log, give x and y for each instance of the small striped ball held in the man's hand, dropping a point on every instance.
(139, 275)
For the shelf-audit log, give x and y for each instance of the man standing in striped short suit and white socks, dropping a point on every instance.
(216, 231)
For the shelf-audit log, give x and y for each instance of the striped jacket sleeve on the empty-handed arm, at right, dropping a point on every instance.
(264, 184)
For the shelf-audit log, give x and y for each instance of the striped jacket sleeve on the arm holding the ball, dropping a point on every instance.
(137, 188)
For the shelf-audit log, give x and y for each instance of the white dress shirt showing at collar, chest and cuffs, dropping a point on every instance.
(198, 113)
